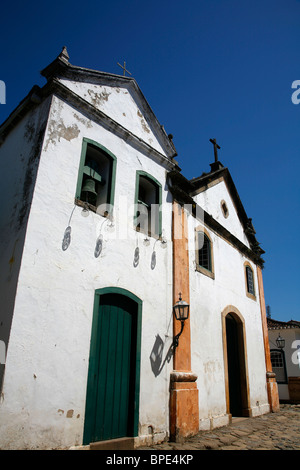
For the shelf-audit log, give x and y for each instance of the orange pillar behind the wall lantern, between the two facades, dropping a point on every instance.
(184, 407)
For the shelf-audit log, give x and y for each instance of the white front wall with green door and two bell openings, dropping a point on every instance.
(44, 392)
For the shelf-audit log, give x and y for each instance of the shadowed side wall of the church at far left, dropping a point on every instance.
(19, 159)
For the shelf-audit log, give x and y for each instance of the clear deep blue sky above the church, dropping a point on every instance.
(208, 68)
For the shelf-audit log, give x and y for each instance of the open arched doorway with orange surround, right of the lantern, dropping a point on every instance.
(235, 361)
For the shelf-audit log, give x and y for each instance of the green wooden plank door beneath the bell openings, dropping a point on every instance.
(110, 411)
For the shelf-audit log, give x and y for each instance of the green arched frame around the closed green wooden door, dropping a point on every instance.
(87, 432)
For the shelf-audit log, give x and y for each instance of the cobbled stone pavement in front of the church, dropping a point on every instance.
(272, 431)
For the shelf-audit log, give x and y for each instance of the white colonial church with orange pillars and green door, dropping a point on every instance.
(132, 307)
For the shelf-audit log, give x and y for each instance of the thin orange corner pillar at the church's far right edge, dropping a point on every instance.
(272, 387)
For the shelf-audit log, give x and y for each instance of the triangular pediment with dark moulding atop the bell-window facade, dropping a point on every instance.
(118, 97)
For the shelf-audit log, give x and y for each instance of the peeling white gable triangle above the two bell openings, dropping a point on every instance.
(122, 105)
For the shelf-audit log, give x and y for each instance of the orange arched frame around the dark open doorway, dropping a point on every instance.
(242, 346)
